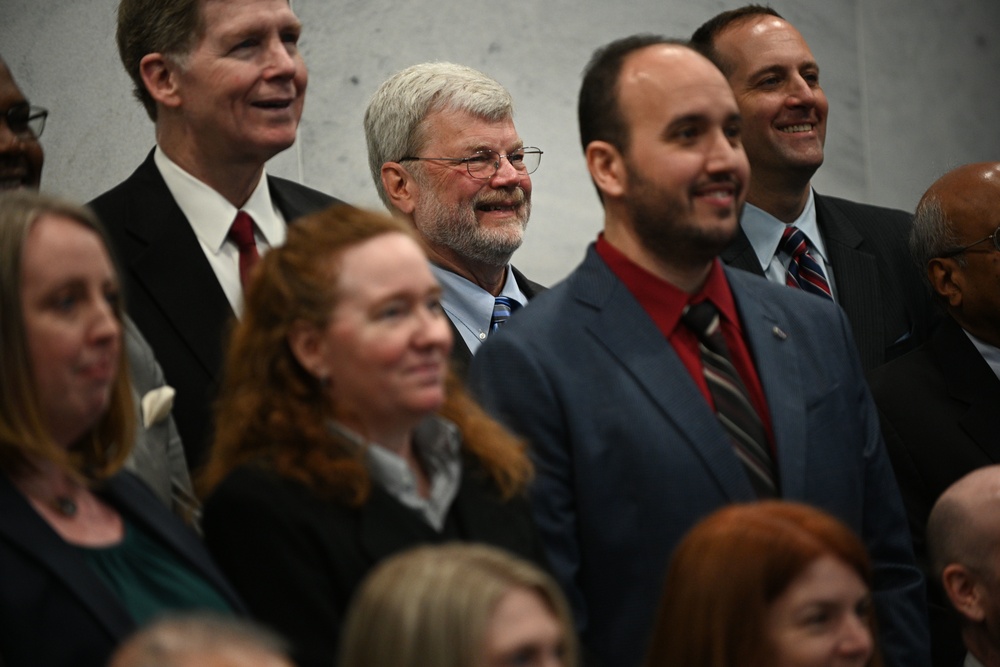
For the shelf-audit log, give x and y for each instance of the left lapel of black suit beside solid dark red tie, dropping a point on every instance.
(171, 268)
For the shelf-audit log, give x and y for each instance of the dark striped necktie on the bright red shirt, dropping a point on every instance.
(732, 401)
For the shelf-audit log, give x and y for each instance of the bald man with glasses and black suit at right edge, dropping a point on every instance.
(940, 405)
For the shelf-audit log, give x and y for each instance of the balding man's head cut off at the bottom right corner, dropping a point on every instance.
(963, 535)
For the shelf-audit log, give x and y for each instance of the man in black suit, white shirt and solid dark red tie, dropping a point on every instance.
(224, 82)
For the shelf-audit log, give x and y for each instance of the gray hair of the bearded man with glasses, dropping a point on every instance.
(396, 113)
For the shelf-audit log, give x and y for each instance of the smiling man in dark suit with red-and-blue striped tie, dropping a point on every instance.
(859, 251)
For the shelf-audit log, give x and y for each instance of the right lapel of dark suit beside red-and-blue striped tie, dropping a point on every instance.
(855, 274)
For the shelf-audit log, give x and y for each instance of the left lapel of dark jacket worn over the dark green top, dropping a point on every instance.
(26, 531)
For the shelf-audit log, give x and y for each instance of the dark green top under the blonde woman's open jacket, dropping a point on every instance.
(150, 579)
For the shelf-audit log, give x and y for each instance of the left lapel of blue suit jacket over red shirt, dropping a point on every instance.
(633, 341)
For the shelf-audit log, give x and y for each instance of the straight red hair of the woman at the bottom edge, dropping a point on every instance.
(730, 568)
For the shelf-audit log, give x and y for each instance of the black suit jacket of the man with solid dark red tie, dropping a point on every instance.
(171, 291)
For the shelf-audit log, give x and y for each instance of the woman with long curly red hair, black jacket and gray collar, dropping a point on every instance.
(340, 436)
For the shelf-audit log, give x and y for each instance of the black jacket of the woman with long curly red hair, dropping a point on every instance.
(297, 558)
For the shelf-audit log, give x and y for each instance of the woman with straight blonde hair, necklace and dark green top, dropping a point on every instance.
(88, 553)
